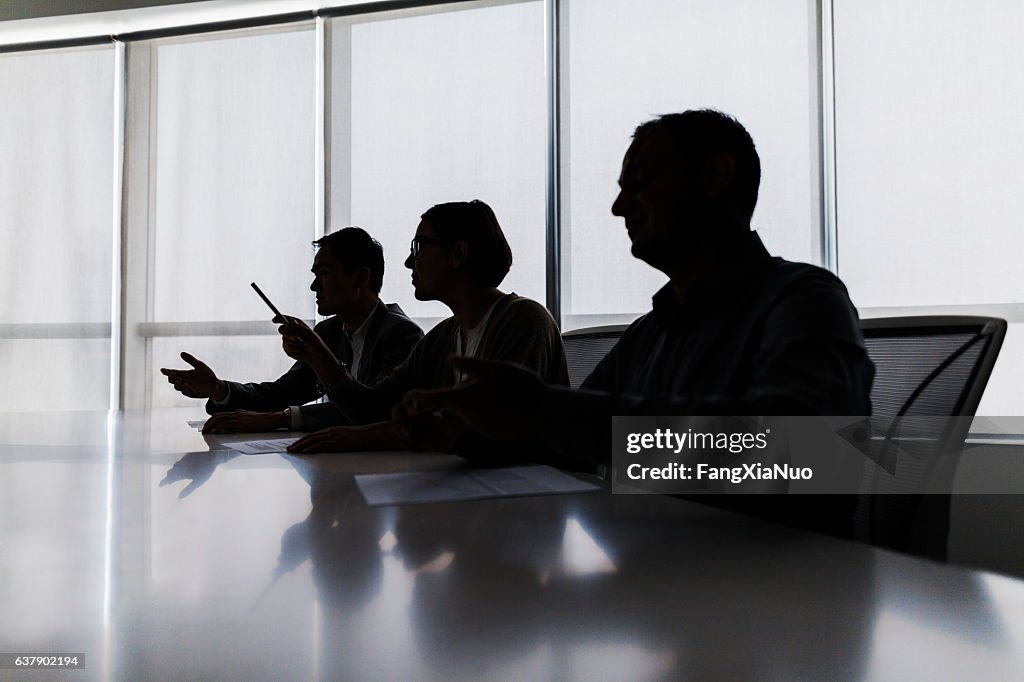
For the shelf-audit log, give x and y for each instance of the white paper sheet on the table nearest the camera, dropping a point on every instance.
(417, 488)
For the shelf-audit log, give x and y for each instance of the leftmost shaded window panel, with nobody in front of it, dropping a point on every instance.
(57, 208)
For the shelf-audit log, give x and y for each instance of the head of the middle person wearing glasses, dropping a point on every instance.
(458, 244)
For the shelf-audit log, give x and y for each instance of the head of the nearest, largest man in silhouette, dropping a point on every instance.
(688, 181)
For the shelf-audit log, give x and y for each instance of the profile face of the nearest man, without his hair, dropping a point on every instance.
(657, 200)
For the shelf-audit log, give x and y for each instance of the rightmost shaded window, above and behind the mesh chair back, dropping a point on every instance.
(929, 157)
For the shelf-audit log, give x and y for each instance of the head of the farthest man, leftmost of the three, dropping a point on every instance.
(349, 271)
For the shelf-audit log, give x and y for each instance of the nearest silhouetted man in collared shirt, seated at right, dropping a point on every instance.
(734, 332)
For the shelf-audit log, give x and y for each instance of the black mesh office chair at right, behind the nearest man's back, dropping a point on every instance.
(926, 367)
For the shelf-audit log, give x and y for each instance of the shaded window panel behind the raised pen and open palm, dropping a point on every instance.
(231, 200)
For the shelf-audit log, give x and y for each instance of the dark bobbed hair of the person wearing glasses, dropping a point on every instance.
(474, 223)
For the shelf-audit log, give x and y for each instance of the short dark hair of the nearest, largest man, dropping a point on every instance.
(698, 135)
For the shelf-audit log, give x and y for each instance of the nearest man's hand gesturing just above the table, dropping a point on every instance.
(499, 400)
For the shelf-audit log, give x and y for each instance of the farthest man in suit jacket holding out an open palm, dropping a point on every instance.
(365, 334)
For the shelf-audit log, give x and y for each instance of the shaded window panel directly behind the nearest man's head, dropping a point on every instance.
(625, 63)
